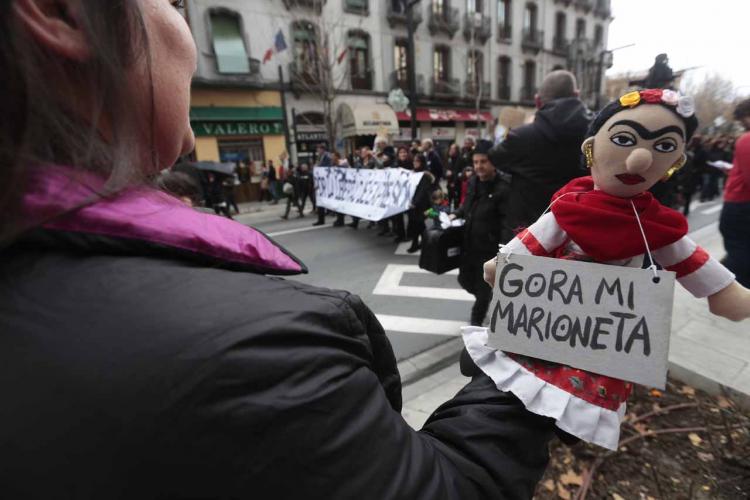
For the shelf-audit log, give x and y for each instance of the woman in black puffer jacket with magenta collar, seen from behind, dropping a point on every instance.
(152, 351)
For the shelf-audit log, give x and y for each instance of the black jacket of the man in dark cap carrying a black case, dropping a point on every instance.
(484, 209)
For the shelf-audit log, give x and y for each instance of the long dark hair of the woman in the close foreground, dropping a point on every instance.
(41, 92)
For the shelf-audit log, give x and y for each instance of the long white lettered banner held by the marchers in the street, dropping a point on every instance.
(369, 194)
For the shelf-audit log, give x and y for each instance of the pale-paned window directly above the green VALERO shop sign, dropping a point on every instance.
(228, 42)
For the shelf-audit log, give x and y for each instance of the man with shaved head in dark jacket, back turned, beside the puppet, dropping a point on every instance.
(544, 155)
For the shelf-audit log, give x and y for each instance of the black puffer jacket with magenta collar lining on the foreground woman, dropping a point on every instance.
(139, 362)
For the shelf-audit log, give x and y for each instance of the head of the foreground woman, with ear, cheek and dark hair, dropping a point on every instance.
(80, 87)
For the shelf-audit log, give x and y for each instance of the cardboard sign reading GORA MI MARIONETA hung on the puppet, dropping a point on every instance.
(609, 320)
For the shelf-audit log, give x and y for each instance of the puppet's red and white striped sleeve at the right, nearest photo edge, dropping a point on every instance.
(697, 271)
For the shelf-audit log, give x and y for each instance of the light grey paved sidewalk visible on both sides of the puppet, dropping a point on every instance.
(707, 352)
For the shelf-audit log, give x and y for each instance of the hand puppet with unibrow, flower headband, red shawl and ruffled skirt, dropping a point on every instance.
(631, 145)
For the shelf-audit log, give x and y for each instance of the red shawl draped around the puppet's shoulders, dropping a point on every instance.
(605, 227)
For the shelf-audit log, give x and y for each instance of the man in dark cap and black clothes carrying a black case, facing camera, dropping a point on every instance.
(484, 210)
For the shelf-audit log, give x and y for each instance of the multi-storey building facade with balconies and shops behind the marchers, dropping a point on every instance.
(339, 59)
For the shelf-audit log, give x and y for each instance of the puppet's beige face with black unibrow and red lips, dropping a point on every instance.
(635, 148)
